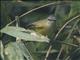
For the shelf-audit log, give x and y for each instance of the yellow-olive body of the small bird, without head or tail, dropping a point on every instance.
(42, 26)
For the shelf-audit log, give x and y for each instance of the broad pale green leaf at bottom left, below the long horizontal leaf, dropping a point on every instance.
(17, 51)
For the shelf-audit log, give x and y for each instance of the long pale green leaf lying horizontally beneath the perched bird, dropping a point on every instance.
(26, 35)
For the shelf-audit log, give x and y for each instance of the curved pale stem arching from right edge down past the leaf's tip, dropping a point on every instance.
(50, 47)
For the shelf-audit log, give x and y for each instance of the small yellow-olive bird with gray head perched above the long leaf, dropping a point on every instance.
(43, 26)
